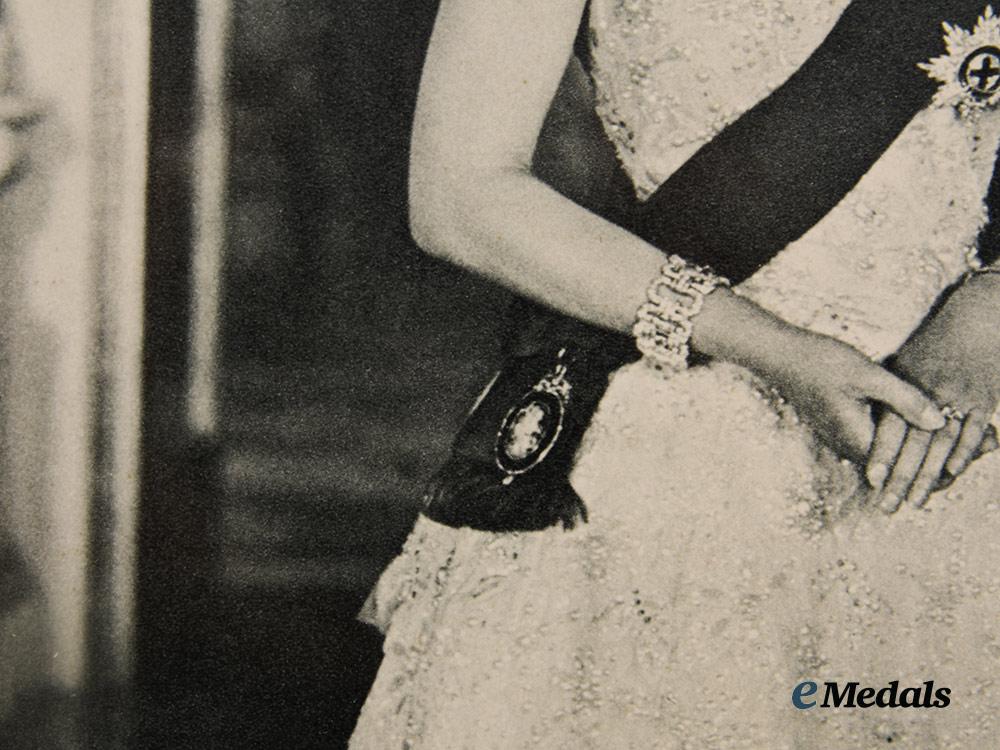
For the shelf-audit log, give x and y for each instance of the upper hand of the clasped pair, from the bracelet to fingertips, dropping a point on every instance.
(831, 385)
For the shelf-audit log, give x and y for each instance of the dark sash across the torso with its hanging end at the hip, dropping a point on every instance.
(760, 184)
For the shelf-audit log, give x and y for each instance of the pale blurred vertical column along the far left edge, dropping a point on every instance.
(72, 208)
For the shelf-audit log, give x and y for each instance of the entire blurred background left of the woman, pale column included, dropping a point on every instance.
(223, 386)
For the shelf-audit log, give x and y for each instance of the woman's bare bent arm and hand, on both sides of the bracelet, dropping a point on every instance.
(491, 72)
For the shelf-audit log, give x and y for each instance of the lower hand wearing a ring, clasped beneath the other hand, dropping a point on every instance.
(955, 357)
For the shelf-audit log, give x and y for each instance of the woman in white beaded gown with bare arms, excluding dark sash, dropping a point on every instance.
(729, 555)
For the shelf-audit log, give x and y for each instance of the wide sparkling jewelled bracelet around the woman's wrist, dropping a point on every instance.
(663, 323)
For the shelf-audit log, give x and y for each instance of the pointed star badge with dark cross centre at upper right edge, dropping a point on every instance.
(969, 71)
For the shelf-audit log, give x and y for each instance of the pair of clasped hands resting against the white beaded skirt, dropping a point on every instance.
(910, 449)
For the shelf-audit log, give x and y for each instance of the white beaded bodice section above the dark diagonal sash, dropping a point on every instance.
(642, 48)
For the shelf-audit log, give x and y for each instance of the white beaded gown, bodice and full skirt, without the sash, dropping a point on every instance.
(728, 557)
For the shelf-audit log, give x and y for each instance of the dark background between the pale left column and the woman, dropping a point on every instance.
(346, 361)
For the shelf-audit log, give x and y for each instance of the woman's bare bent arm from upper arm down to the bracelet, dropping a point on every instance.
(491, 72)
